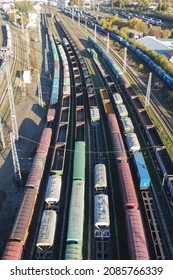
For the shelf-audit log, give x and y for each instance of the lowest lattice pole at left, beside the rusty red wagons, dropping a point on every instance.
(17, 172)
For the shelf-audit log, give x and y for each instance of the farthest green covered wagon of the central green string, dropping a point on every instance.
(79, 161)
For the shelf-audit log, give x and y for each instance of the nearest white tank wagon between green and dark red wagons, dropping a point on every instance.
(101, 216)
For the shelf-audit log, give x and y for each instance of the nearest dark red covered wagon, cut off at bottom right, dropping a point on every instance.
(136, 237)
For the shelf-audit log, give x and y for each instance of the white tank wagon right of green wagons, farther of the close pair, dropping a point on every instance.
(100, 178)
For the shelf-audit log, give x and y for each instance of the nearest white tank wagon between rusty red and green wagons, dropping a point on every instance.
(46, 234)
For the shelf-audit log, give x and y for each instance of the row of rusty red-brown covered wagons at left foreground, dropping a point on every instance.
(18, 237)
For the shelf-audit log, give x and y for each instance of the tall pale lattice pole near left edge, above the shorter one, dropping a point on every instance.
(11, 100)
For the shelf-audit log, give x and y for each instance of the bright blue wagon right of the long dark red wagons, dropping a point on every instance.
(142, 171)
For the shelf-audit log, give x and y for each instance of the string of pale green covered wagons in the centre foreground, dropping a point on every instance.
(74, 240)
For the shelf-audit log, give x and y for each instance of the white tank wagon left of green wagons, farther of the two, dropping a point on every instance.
(53, 189)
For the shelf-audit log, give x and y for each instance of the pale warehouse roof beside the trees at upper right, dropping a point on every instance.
(154, 44)
